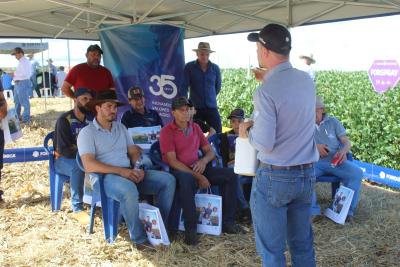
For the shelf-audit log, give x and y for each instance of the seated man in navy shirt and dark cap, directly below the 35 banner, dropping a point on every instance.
(140, 116)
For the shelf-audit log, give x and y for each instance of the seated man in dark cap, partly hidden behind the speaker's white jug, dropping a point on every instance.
(227, 148)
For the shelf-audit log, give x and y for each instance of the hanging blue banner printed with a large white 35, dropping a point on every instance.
(148, 56)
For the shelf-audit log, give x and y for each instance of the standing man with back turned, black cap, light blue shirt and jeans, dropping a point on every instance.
(283, 134)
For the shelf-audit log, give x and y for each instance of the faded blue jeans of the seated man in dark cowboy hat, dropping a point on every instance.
(161, 184)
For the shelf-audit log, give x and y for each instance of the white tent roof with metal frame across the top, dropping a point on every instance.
(80, 19)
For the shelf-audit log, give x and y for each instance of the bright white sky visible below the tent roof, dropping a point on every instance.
(345, 46)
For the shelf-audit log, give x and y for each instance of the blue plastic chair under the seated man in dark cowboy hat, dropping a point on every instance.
(109, 206)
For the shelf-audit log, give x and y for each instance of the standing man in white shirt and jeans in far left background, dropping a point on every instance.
(22, 85)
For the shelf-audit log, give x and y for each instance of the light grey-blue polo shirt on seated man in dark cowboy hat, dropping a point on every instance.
(109, 147)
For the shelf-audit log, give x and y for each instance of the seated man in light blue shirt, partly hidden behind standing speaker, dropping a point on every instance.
(332, 140)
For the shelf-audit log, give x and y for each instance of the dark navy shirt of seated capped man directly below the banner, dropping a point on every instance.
(132, 118)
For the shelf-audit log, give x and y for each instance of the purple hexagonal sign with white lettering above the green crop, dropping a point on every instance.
(384, 74)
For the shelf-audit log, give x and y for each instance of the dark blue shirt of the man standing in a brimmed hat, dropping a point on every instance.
(204, 86)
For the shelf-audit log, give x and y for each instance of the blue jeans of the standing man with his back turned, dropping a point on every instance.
(280, 206)
